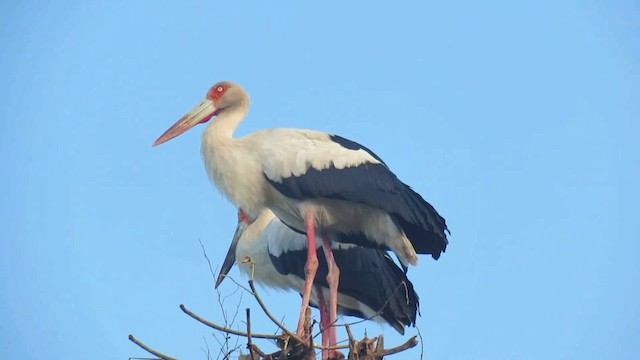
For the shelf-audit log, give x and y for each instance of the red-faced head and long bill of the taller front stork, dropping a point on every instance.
(223, 97)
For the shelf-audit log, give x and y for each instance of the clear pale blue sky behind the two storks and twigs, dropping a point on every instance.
(519, 122)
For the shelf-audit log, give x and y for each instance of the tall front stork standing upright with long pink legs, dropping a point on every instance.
(316, 183)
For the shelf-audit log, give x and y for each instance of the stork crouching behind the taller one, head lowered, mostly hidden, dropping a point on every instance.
(371, 285)
